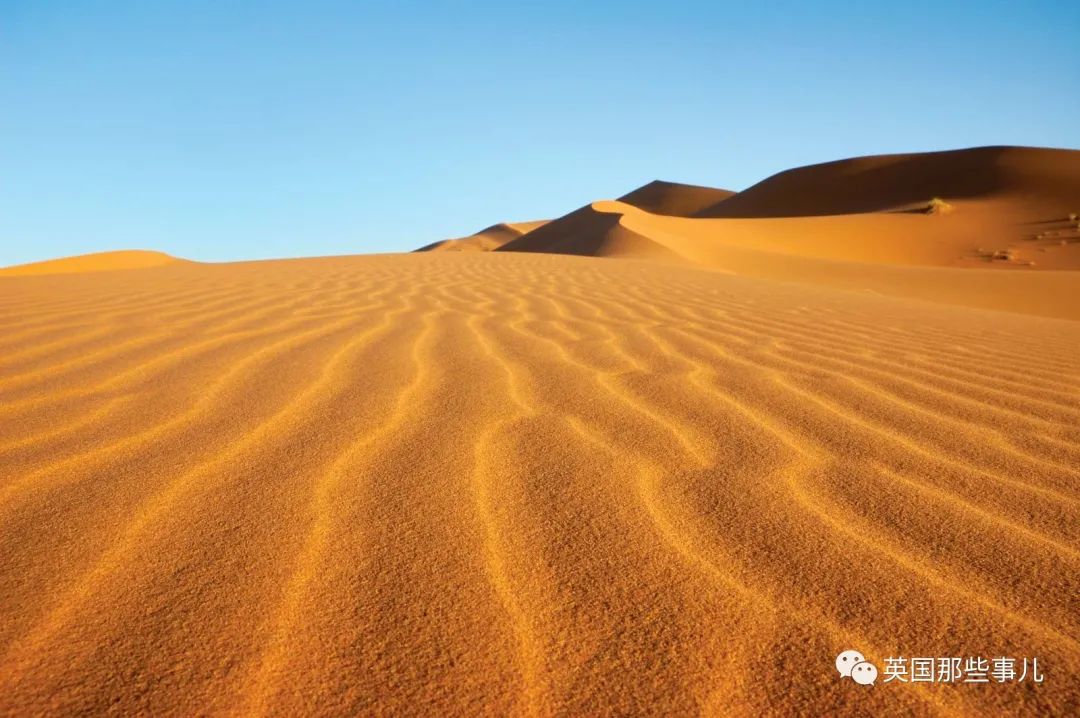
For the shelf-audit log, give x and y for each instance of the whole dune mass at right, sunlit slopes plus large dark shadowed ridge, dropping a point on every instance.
(911, 226)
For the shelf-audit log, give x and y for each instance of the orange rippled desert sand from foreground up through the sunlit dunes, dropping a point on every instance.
(677, 478)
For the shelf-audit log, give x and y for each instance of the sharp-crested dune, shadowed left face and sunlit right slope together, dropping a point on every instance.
(896, 255)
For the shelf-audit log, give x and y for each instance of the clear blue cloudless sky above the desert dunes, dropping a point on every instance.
(222, 130)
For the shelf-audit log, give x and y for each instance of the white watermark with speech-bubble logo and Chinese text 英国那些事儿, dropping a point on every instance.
(940, 670)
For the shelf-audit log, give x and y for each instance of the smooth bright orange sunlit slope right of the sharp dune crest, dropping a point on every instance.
(870, 255)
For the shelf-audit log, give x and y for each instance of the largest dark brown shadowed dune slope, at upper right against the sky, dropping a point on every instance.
(1044, 181)
